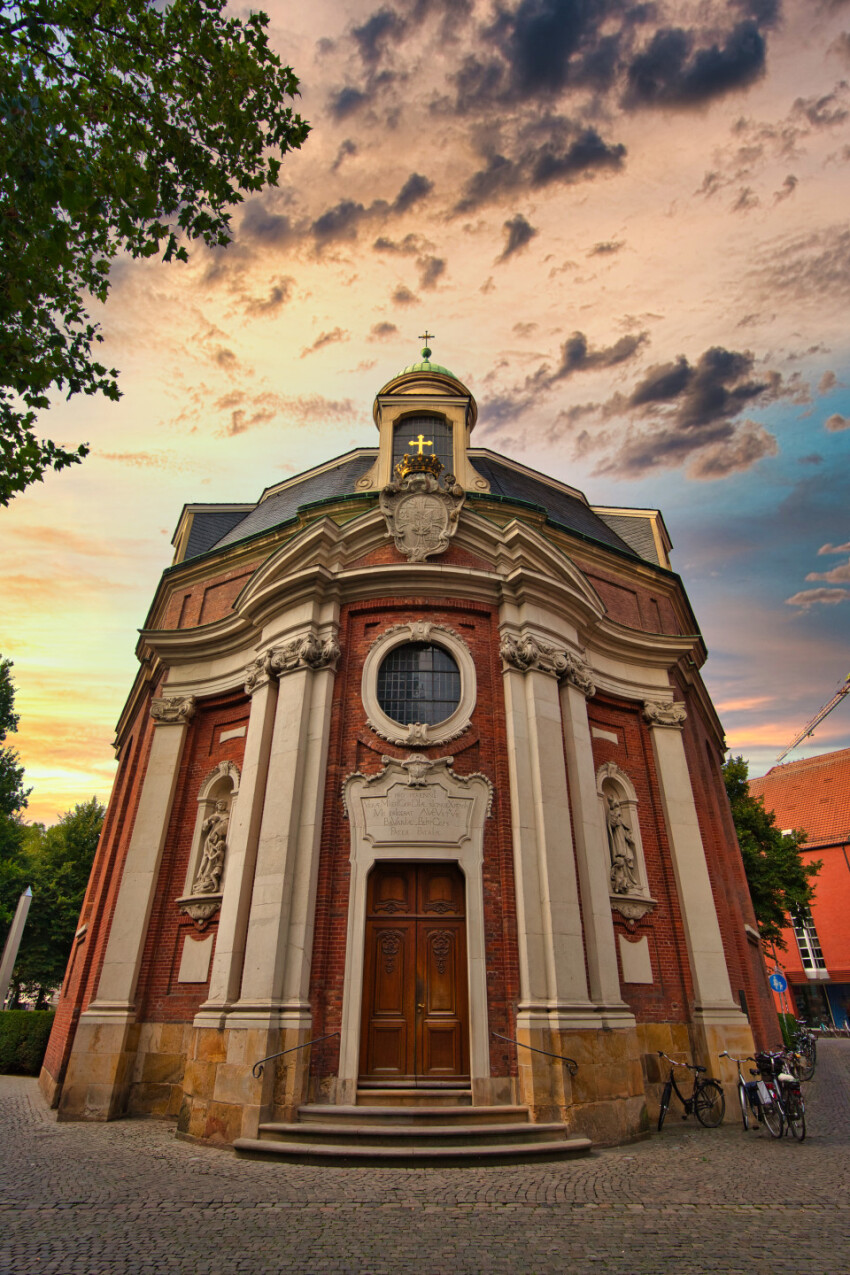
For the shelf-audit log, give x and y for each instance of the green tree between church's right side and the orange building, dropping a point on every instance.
(781, 883)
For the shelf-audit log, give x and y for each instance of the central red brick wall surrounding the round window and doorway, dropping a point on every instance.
(355, 748)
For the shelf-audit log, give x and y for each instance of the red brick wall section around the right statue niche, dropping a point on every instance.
(671, 996)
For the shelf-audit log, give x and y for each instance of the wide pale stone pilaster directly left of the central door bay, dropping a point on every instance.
(291, 824)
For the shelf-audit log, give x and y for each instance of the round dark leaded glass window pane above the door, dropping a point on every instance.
(419, 683)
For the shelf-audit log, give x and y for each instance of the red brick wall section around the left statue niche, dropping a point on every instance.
(161, 999)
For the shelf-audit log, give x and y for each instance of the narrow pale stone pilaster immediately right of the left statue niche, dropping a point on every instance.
(241, 851)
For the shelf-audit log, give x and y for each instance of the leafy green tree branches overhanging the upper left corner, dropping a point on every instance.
(126, 126)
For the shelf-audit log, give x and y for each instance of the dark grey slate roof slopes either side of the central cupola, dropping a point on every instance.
(220, 530)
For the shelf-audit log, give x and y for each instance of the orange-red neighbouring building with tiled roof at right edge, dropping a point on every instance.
(815, 795)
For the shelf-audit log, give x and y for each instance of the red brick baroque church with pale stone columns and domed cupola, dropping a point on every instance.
(414, 767)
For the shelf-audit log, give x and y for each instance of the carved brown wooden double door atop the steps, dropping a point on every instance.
(416, 1021)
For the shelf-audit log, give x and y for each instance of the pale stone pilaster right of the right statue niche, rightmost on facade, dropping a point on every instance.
(709, 970)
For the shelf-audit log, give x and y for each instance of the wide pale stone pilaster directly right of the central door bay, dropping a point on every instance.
(552, 963)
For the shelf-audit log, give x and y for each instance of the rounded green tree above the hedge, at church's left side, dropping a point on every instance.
(57, 864)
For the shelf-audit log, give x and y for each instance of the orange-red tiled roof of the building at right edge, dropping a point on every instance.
(812, 794)
